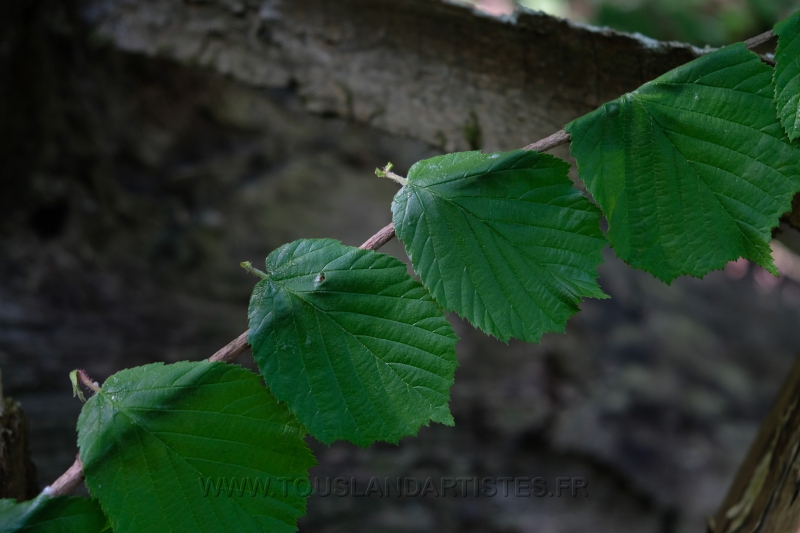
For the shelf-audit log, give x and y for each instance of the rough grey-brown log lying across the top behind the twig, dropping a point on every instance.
(430, 70)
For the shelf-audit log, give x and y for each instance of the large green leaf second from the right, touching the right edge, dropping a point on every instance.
(692, 169)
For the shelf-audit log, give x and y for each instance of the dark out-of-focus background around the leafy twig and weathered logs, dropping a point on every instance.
(133, 187)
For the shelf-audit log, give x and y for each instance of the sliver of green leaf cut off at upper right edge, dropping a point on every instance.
(787, 74)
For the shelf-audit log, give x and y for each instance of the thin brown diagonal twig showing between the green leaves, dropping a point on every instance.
(74, 476)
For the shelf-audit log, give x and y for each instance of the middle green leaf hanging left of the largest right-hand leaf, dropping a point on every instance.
(502, 239)
